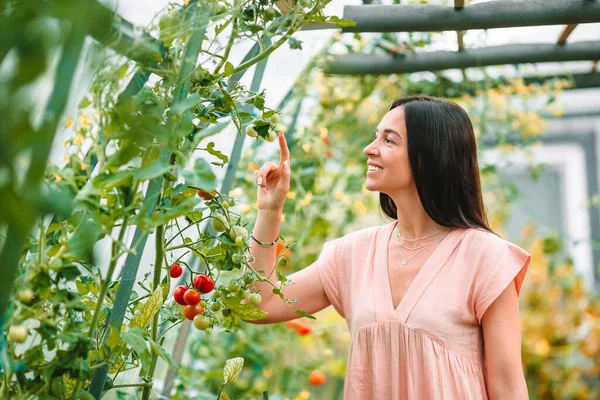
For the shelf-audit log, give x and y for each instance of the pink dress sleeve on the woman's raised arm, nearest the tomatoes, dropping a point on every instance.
(330, 274)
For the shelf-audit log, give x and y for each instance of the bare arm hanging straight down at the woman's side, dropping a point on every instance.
(502, 342)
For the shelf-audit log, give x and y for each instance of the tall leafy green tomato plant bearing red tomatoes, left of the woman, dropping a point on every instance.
(137, 160)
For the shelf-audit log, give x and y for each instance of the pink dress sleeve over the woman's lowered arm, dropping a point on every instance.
(501, 262)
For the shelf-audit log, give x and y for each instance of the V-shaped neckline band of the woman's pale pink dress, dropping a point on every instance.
(423, 277)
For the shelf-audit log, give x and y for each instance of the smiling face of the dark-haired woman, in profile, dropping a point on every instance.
(389, 151)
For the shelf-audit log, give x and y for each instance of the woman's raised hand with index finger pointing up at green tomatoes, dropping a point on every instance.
(274, 180)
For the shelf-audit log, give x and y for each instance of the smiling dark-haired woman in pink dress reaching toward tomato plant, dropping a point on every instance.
(431, 299)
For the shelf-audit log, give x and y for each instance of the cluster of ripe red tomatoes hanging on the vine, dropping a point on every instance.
(190, 297)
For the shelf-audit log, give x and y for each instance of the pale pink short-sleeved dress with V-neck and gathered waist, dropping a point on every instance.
(431, 345)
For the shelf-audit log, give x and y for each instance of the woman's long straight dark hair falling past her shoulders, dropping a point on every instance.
(442, 152)
